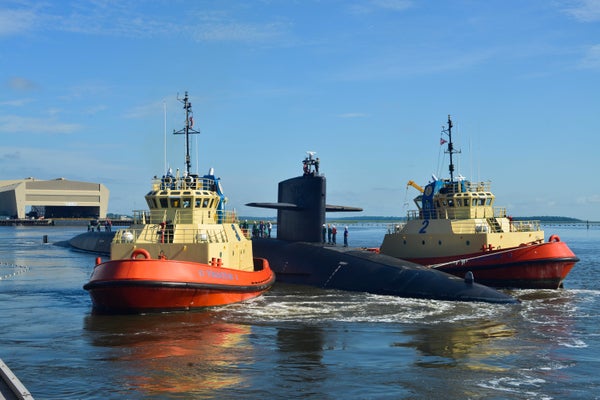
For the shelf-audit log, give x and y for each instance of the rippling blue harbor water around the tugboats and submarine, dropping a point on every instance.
(296, 342)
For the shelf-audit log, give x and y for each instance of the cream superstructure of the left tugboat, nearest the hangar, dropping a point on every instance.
(185, 222)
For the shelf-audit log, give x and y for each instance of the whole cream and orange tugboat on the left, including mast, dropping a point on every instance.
(186, 252)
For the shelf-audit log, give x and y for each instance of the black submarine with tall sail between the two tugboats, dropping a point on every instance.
(298, 254)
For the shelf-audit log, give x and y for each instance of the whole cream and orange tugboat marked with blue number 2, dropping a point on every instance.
(457, 229)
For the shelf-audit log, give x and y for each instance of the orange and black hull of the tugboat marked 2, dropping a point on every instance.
(536, 266)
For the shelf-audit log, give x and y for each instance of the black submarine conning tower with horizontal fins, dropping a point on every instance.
(301, 204)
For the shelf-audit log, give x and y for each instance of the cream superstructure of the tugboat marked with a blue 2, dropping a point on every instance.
(463, 221)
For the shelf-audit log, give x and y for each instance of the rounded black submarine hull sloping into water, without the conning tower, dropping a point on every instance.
(353, 269)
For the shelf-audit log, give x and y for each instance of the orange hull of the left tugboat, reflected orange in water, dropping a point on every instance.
(142, 285)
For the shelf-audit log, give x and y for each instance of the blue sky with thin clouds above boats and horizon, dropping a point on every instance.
(84, 86)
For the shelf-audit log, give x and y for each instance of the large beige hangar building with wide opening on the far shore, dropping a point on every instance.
(58, 198)
